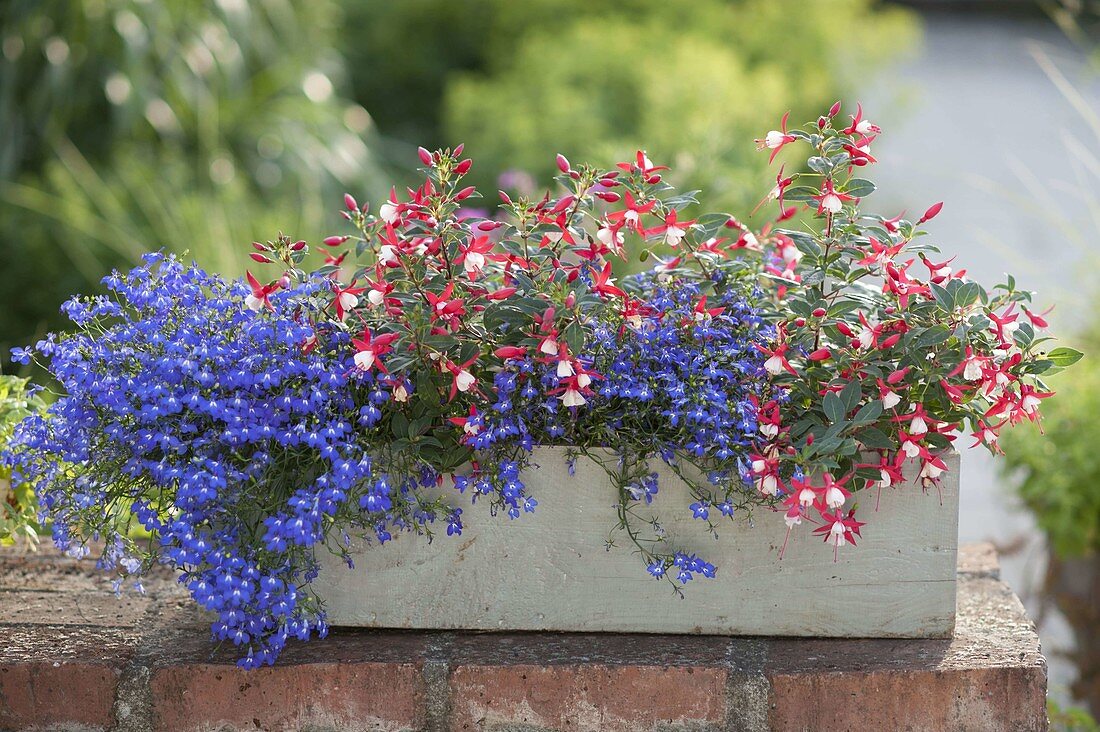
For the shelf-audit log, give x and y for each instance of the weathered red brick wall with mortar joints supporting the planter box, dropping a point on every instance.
(73, 659)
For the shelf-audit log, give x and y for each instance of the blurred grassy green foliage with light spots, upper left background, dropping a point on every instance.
(131, 126)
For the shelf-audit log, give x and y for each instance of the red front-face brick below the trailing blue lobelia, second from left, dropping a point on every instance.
(354, 697)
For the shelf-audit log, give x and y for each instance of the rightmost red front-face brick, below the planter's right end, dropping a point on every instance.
(986, 700)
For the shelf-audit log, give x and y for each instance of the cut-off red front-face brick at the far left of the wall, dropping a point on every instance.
(56, 694)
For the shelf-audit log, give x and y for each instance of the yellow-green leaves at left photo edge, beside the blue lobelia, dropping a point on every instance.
(18, 507)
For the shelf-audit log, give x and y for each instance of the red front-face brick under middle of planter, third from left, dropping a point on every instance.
(587, 697)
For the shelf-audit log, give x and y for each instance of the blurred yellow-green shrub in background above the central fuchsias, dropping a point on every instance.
(691, 83)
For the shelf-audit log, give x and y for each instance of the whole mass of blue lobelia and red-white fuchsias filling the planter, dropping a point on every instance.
(235, 431)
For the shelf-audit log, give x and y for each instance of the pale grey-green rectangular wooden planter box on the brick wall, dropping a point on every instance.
(551, 571)
